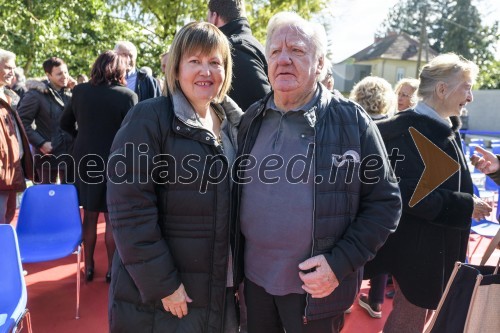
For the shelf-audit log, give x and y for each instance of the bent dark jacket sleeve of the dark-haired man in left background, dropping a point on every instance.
(28, 111)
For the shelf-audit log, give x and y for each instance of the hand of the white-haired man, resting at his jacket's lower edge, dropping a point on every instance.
(322, 281)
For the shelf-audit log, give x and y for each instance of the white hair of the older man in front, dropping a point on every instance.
(312, 31)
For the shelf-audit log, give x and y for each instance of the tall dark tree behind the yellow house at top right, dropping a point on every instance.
(448, 31)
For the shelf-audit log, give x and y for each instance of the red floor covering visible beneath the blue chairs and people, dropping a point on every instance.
(52, 296)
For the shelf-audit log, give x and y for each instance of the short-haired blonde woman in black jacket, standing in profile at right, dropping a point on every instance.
(433, 232)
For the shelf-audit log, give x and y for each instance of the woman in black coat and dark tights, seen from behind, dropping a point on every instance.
(93, 116)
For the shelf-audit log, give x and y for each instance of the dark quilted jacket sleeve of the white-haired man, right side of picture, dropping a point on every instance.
(377, 215)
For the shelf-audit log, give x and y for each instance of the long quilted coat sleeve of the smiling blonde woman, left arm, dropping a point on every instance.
(133, 205)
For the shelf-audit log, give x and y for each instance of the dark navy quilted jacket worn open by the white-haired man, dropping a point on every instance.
(352, 219)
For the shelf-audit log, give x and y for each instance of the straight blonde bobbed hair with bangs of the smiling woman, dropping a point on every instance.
(197, 37)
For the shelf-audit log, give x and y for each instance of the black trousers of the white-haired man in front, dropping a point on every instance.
(275, 314)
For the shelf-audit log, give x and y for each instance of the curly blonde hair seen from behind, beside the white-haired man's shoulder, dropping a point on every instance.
(375, 95)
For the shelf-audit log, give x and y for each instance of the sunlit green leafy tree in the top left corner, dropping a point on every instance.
(76, 32)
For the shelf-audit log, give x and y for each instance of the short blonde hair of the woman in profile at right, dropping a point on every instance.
(445, 68)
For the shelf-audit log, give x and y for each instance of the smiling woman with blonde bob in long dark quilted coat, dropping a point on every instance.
(168, 196)
